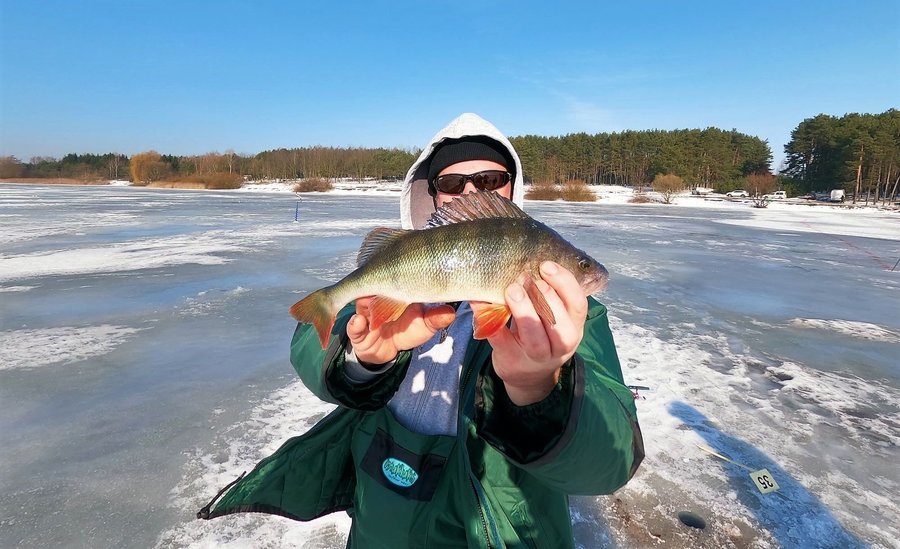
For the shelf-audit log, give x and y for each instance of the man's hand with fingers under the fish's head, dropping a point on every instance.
(529, 355)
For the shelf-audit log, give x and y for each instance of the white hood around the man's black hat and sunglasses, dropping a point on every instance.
(416, 205)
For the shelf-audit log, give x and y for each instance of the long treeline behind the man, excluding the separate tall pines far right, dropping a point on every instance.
(709, 157)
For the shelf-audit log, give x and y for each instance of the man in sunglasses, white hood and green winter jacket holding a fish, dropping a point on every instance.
(441, 440)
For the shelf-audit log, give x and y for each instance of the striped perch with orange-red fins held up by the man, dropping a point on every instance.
(471, 250)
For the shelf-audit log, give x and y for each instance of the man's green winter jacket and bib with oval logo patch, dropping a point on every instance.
(502, 481)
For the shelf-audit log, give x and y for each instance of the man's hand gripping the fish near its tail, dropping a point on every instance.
(415, 326)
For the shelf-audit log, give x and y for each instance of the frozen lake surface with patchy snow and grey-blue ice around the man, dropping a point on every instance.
(144, 363)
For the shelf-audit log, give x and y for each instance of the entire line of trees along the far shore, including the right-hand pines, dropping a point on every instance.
(825, 152)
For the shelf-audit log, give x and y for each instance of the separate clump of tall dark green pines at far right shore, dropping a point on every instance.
(859, 153)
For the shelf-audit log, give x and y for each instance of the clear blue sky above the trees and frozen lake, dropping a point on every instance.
(193, 77)
